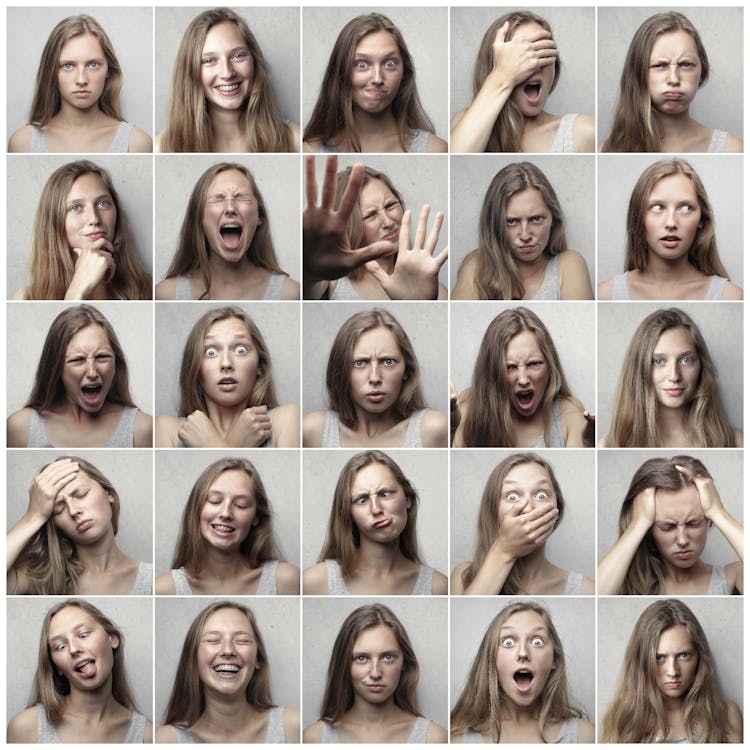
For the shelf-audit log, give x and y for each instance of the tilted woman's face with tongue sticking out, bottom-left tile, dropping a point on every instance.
(80, 648)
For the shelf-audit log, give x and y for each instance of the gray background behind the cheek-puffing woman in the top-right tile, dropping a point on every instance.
(718, 103)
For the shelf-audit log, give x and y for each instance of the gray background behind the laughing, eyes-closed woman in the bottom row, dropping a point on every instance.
(277, 619)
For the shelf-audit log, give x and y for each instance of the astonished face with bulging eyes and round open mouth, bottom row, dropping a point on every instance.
(525, 657)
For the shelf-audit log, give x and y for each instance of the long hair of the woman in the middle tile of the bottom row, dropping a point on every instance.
(338, 697)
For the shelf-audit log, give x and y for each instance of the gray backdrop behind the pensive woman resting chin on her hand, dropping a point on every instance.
(27, 176)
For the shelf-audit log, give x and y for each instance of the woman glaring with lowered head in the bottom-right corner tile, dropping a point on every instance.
(668, 689)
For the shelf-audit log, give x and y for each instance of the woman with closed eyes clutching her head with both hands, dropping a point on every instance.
(664, 522)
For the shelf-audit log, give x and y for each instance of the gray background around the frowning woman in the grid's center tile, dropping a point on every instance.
(426, 325)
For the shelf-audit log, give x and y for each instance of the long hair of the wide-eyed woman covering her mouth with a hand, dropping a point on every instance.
(488, 515)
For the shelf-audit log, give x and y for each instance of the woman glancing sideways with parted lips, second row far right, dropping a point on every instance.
(671, 248)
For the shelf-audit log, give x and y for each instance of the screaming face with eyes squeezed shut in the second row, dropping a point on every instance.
(230, 216)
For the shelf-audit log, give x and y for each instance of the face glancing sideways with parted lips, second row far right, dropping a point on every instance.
(672, 217)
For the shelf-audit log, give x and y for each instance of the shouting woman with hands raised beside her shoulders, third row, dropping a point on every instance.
(519, 397)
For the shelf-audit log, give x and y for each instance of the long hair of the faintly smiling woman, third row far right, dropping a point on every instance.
(634, 416)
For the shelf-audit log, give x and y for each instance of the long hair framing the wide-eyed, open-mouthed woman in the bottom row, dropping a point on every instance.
(479, 707)
